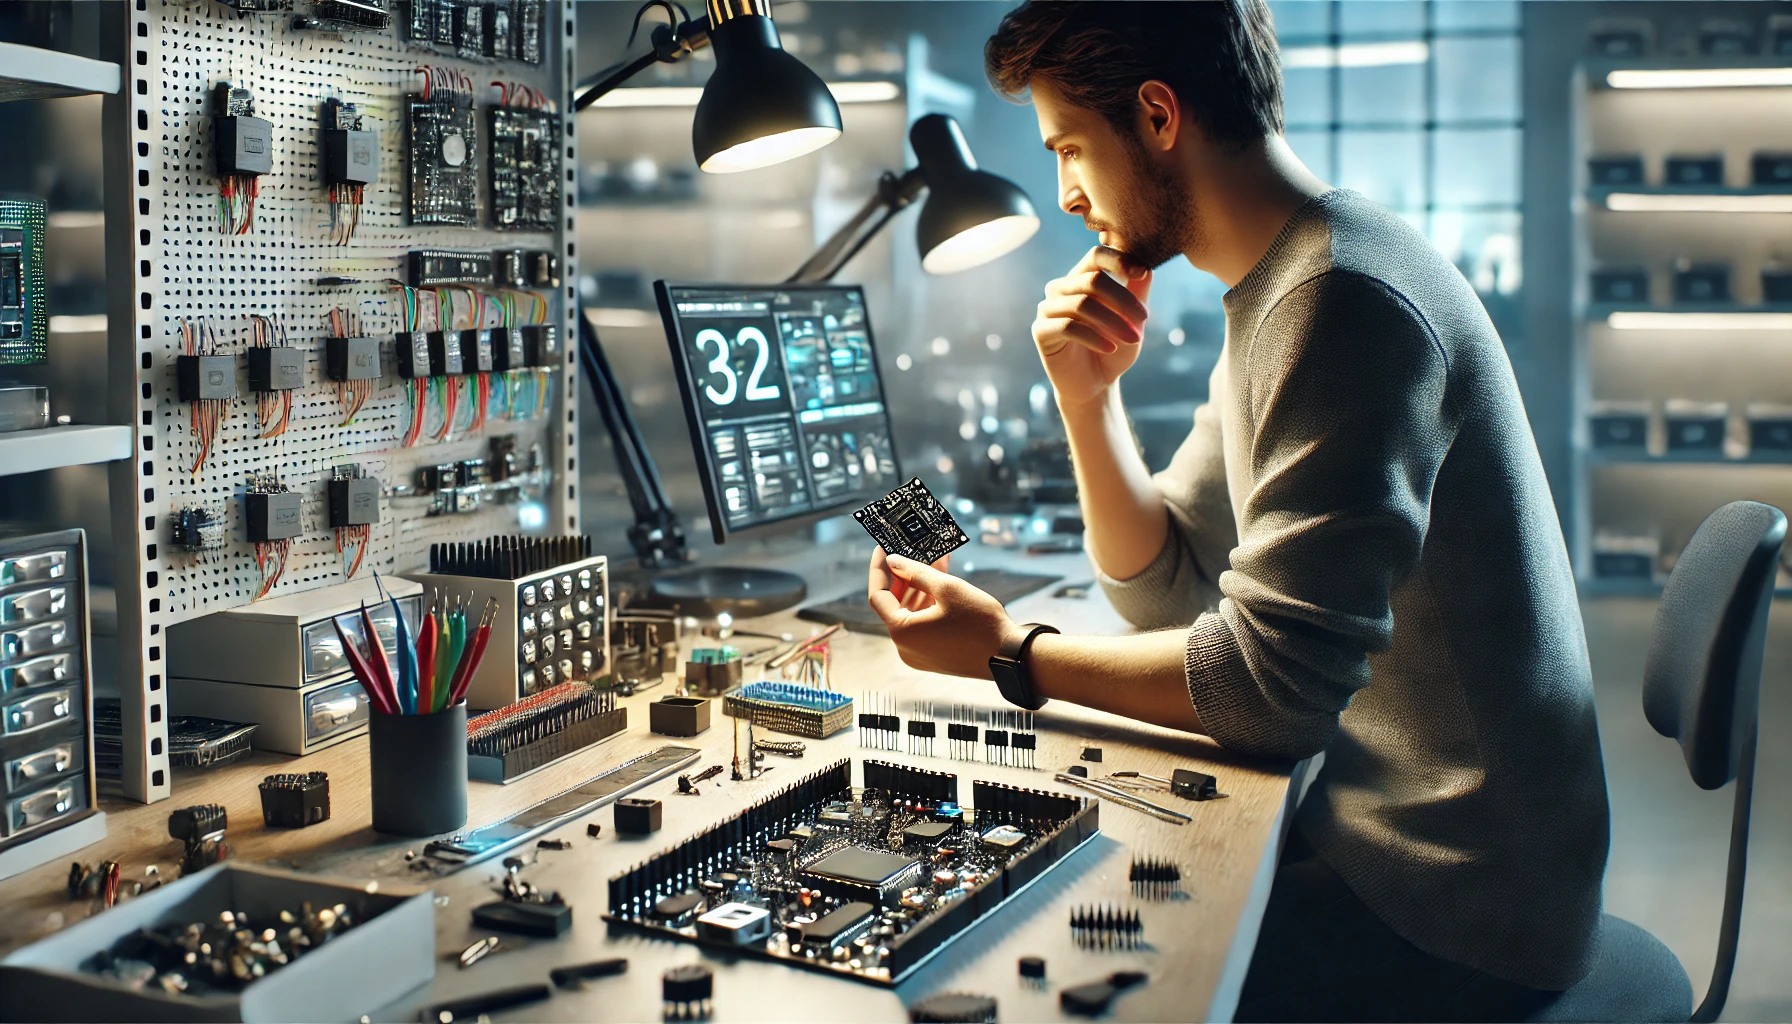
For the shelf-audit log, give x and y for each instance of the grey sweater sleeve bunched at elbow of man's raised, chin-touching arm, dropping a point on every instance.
(1184, 580)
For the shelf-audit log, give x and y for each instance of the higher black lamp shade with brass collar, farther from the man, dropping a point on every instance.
(761, 107)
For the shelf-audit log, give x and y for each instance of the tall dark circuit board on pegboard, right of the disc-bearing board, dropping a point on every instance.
(524, 162)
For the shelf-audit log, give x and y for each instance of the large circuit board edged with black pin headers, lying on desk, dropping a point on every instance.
(861, 883)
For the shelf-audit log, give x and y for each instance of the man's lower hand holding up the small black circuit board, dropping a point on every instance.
(940, 623)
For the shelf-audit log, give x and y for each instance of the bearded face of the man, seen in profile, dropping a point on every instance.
(1112, 182)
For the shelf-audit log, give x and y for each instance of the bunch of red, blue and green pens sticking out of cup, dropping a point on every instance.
(433, 672)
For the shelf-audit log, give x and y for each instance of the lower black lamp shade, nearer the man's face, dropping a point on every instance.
(970, 216)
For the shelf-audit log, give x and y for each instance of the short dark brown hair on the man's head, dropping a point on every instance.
(1218, 55)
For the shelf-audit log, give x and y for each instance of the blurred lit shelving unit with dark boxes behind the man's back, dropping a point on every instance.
(1684, 390)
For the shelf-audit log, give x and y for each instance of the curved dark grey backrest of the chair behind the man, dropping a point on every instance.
(1702, 684)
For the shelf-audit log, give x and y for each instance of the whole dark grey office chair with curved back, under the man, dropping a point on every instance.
(1702, 686)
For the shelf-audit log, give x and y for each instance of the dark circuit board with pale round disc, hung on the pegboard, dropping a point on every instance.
(444, 152)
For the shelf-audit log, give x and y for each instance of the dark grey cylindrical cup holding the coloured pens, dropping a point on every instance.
(418, 772)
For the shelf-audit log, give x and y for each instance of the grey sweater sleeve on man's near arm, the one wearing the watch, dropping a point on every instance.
(1347, 395)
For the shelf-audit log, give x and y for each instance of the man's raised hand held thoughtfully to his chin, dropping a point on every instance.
(1090, 325)
